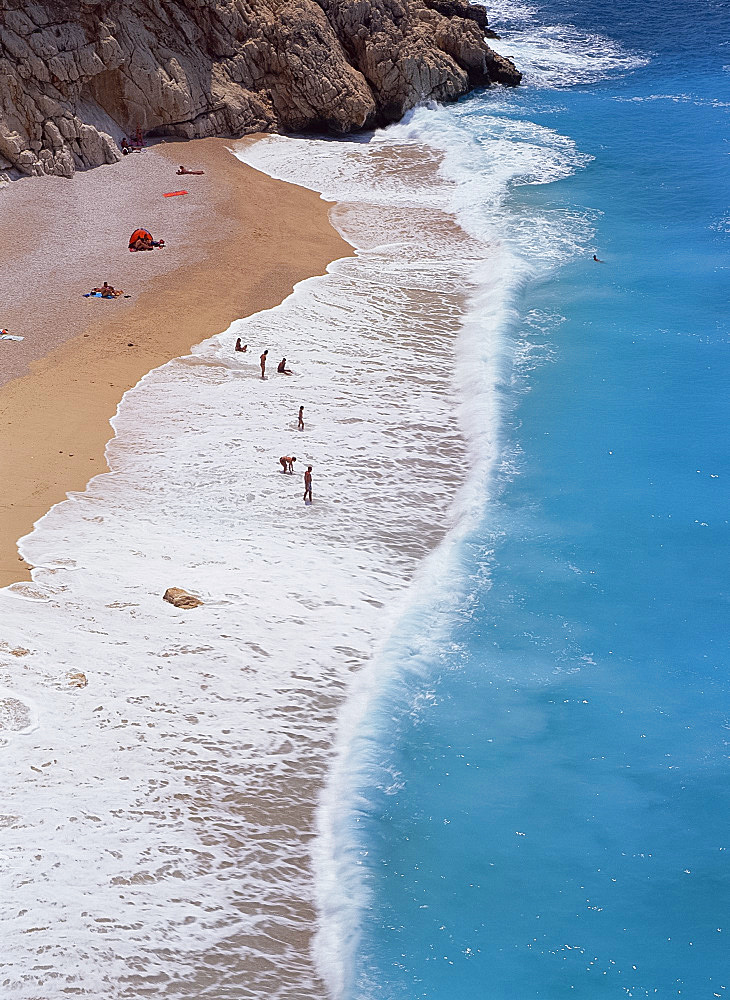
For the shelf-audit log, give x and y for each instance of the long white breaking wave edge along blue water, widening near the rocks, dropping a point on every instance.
(479, 168)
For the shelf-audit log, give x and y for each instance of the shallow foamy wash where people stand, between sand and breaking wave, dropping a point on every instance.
(233, 711)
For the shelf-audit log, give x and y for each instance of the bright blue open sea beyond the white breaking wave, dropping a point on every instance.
(557, 816)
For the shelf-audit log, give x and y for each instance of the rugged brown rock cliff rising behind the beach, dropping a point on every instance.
(77, 75)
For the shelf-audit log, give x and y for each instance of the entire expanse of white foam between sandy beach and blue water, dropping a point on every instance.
(158, 835)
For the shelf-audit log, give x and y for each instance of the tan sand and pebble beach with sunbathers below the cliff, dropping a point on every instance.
(236, 243)
